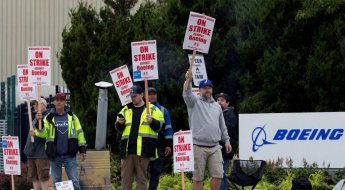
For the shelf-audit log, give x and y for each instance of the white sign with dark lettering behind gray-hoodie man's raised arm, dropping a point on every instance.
(199, 69)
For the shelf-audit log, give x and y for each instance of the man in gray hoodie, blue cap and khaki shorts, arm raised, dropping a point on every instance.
(207, 123)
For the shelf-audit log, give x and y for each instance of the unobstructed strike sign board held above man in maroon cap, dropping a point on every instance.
(39, 65)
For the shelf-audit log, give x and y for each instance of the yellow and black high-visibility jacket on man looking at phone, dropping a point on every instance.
(147, 137)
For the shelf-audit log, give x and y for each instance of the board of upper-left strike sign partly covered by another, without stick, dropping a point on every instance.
(26, 91)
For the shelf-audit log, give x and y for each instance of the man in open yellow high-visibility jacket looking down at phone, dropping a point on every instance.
(139, 138)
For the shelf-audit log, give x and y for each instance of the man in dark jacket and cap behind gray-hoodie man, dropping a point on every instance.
(232, 126)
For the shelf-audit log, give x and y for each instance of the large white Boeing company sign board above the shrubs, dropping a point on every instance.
(316, 137)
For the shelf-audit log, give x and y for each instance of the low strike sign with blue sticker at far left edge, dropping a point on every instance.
(10, 148)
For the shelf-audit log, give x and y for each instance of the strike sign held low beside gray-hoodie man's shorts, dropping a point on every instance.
(183, 151)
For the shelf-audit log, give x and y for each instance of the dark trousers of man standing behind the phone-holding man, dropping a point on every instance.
(156, 169)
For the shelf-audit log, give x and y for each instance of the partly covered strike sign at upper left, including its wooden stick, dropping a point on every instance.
(26, 91)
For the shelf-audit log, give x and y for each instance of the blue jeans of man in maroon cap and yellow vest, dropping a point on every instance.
(70, 163)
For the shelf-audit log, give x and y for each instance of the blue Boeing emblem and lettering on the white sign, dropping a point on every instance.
(259, 135)
